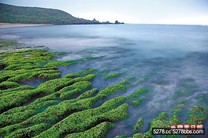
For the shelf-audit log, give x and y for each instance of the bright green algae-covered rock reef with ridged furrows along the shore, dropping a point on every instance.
(66, 106)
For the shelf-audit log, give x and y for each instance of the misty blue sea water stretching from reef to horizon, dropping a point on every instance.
(171, 61)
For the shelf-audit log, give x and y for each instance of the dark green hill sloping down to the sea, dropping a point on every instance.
(34, 15)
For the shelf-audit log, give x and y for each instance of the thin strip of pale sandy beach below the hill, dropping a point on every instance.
(10, 25)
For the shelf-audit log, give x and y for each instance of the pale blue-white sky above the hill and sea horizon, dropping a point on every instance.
(129, 11)
